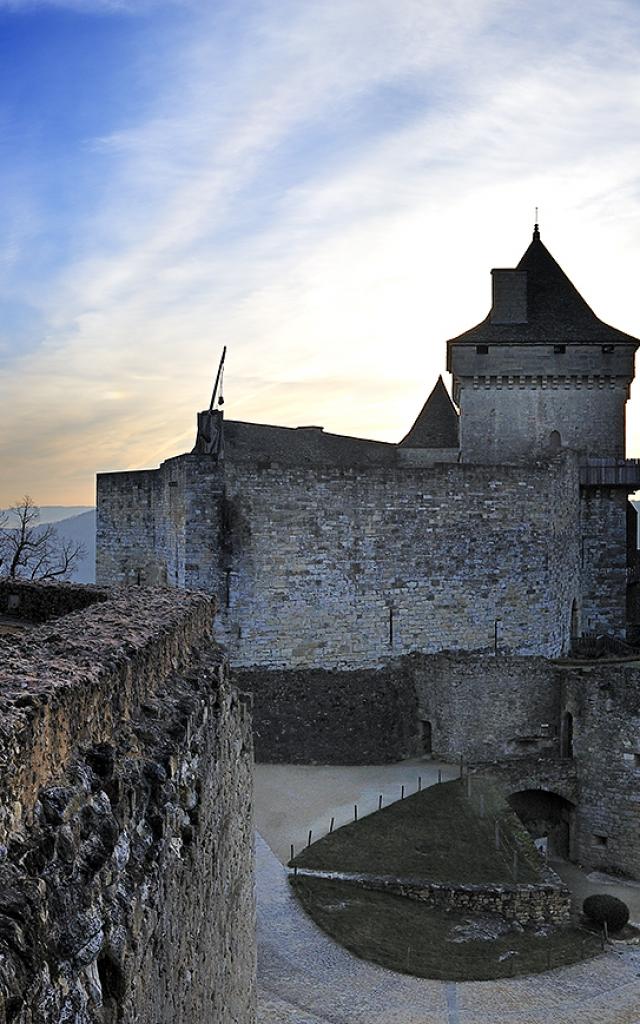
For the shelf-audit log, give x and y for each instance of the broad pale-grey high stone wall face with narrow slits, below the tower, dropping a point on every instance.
(344, 569)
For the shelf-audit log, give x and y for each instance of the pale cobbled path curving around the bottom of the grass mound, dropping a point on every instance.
(306, 978)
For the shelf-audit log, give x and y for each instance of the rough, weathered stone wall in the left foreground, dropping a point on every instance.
(125, 821)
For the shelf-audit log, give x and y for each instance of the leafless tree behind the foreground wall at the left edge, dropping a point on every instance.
(31, 551)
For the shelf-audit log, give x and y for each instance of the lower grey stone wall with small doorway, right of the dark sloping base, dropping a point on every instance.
(487, 708)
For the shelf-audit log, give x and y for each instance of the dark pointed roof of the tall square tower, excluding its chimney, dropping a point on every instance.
(556, 310)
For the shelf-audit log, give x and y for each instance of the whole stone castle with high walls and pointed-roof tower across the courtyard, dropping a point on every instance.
(377, 596)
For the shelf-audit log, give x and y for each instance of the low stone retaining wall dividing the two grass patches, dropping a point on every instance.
(548, 903)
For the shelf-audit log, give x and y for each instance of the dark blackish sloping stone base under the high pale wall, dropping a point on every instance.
(320, 717)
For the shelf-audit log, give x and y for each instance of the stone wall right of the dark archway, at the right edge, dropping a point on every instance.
(605, 703)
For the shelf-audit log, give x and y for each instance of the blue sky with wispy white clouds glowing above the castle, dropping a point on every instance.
(323, 187)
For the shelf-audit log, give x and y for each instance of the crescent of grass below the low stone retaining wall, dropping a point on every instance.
(412, 938)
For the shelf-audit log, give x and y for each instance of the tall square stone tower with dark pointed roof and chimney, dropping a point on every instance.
(542, 372)
